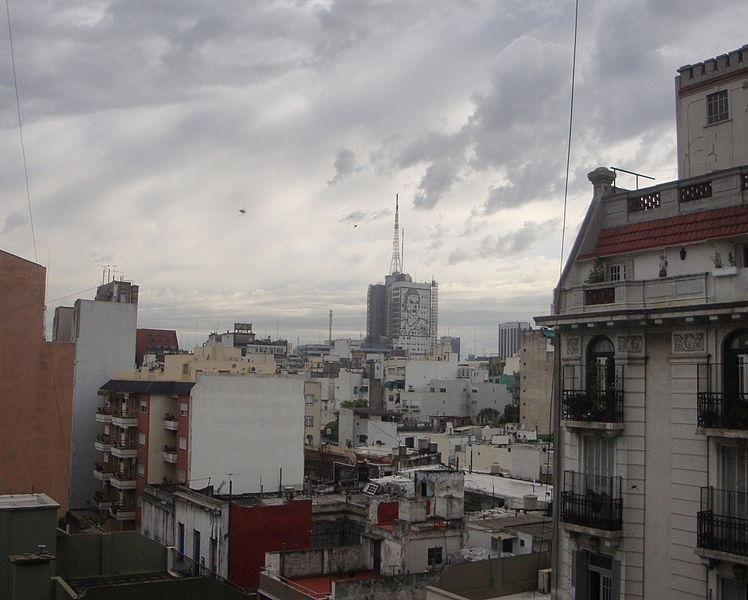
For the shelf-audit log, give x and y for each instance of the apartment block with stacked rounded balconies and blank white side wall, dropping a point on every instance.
(238, 433)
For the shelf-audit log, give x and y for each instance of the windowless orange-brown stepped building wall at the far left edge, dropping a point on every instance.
(36, 389)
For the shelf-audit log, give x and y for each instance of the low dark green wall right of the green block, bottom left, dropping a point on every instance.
(91, 555)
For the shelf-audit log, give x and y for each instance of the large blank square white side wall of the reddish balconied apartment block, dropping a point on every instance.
(248, 425)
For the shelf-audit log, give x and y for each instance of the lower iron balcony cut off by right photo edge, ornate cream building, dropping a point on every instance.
(723, 522)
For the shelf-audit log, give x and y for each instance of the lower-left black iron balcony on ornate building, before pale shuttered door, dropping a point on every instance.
(592, 501)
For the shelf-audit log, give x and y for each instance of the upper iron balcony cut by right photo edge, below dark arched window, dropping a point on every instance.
(720, 411)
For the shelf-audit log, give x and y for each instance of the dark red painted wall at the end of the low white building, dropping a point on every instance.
(255, 530)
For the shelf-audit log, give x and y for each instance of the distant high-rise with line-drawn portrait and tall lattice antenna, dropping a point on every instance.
(401, 313)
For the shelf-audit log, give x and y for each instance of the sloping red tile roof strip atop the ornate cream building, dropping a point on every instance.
(672, 231)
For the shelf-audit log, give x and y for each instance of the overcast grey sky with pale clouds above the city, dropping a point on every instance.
(150, 125)
